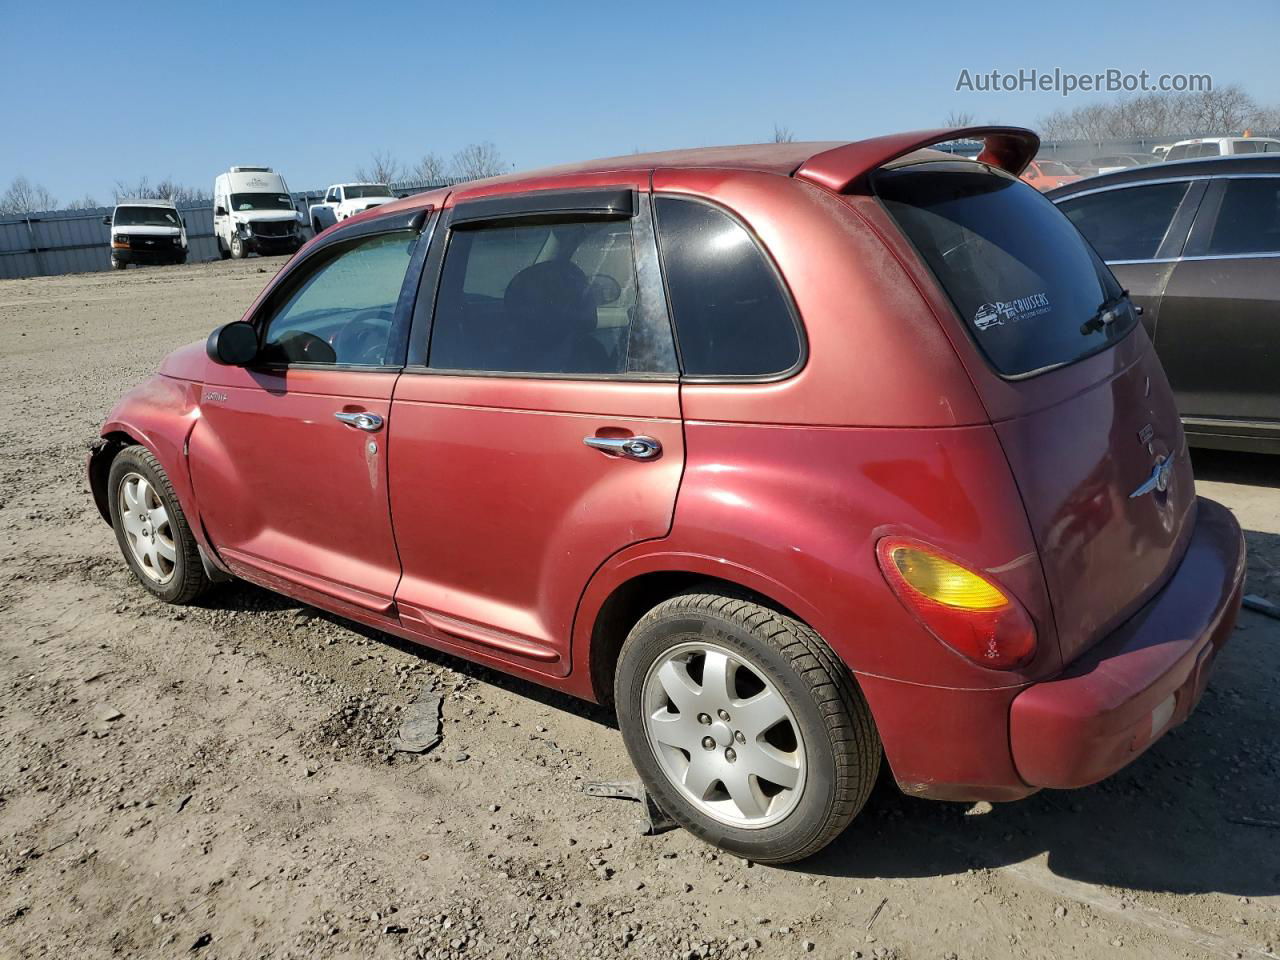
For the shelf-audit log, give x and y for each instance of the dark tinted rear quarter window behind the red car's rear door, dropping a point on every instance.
(732, 316)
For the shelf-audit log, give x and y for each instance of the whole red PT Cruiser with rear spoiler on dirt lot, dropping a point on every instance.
(799, 455)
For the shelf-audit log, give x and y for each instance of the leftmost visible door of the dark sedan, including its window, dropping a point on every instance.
(1139, 230)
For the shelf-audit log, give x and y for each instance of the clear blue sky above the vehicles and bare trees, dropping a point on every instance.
(98, 93)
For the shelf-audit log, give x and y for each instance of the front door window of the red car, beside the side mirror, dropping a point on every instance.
(341, 309)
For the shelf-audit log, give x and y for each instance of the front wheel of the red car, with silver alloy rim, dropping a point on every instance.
(180, 579)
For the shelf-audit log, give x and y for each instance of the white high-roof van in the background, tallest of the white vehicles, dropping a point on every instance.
(254, 213)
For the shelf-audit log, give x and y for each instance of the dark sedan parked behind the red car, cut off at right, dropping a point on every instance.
(1199, 248)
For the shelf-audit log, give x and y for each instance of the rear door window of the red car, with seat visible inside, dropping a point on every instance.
(557, 298)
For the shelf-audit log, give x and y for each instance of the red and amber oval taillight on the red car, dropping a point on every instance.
(962, 609)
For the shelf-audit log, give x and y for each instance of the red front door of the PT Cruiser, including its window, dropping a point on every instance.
(289, 458)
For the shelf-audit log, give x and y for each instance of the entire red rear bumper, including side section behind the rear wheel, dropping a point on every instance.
(1099, 715)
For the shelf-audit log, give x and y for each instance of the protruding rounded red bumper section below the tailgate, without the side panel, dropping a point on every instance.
(1108, 707)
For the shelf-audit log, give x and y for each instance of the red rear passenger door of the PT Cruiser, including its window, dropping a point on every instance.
(537, 428)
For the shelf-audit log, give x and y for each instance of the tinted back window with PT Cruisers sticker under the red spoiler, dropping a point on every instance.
(1031, 291)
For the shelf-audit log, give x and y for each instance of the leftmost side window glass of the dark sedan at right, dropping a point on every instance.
(1127, 225)
